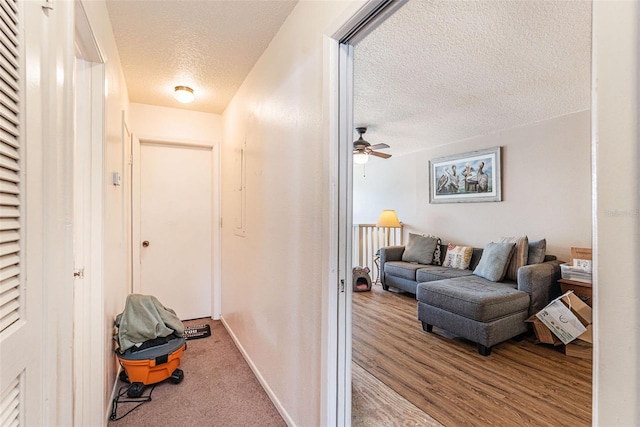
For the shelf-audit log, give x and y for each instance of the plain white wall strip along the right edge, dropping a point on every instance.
(616, 91)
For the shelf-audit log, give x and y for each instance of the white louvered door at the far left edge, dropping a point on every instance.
(21, 200)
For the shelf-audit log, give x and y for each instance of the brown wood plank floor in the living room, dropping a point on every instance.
(520, 383)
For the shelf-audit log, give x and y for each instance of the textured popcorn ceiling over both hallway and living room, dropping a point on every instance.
(434, 73)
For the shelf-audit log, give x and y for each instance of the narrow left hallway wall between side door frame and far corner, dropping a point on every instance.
(116, 282)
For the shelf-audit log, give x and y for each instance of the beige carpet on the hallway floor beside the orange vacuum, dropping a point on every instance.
(219, 389)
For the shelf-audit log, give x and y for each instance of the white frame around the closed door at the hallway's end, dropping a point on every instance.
(136, 142)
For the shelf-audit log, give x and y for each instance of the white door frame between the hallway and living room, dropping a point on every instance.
(339, 43)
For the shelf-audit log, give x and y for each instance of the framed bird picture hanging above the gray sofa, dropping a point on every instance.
(468, 177)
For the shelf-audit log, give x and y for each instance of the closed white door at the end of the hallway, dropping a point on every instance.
(175, 227)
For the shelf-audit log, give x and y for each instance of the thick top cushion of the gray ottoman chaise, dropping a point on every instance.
(473, 297)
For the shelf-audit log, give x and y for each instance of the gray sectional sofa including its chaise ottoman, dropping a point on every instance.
(480, 302)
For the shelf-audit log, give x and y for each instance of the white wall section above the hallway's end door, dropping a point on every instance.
(175, 124)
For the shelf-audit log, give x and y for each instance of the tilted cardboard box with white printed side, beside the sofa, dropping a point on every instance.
(568, 317)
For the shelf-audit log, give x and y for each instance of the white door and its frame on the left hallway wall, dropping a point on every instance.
(89, 341)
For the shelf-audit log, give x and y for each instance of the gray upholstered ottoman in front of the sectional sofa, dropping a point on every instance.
(474, 308)
